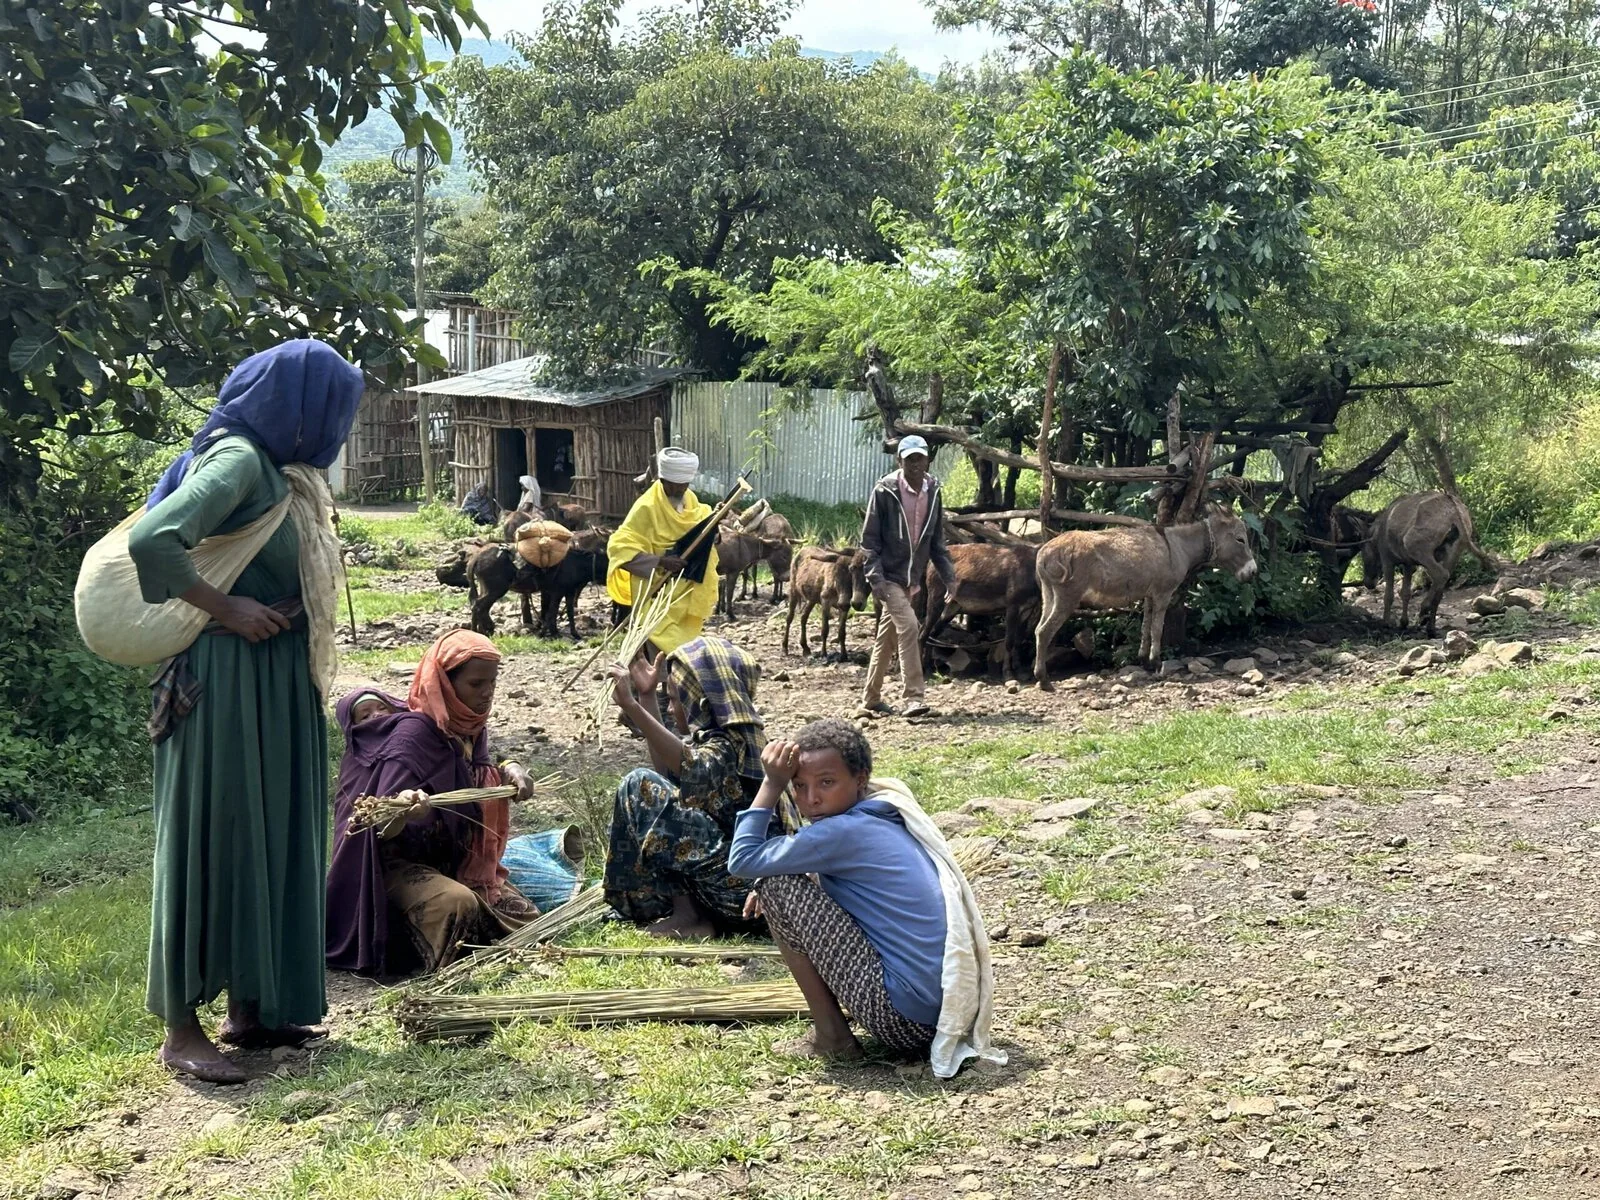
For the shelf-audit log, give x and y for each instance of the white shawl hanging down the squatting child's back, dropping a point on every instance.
(969, 983)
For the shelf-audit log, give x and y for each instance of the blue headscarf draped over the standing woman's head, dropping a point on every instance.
(297, 402)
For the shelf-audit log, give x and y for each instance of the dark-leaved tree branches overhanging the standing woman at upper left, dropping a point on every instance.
(159, 214)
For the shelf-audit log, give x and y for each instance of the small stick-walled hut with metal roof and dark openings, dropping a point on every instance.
(583, 447)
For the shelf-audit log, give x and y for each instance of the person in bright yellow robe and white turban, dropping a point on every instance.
(647, 543)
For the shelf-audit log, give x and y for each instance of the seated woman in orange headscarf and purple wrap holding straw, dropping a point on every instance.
(410, 895)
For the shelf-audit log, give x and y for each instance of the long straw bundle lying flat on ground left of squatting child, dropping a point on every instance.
(430, 1017)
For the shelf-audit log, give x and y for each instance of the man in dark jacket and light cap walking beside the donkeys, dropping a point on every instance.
(902, 535)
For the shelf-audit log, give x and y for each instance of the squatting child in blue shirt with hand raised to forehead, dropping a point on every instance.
(870, 932)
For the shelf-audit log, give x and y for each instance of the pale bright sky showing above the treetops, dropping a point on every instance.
(822, 25)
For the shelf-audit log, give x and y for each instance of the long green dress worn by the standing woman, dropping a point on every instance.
(242, 785)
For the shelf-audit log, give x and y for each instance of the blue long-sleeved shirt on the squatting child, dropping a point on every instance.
(878, 873)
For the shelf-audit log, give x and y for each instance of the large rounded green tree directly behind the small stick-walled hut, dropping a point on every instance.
(695, 143)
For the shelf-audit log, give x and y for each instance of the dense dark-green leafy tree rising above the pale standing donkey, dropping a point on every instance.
(1135, 222)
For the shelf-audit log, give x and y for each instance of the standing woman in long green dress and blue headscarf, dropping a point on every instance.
(239, 727)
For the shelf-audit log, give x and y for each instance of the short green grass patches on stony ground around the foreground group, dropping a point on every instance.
(374, 1116)
